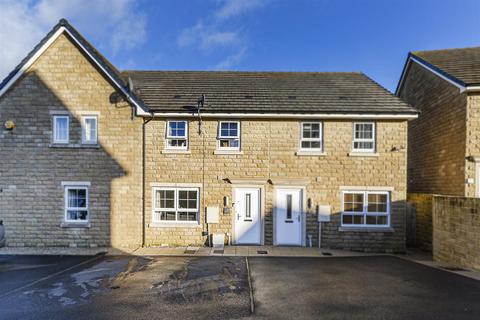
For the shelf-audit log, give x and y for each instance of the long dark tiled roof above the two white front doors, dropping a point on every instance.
(265, 92)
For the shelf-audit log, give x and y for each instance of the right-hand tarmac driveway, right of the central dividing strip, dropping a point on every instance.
(376, 287)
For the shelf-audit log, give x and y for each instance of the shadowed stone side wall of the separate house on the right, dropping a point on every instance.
(437, 139)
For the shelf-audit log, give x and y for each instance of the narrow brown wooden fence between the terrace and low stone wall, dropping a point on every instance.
(422, 206)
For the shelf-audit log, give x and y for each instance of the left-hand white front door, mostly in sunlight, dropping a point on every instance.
(248, 225)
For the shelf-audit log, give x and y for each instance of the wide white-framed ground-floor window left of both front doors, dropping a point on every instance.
(176, 205)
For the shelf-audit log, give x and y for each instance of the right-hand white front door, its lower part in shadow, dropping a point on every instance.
(288, 217)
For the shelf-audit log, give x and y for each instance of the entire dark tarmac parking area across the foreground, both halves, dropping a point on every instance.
(383, 287)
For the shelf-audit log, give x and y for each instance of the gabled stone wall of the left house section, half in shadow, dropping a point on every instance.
(32, 170)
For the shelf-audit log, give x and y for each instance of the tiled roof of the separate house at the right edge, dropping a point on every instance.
(462, 64)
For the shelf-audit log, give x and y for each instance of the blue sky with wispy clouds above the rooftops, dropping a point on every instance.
(372, 36)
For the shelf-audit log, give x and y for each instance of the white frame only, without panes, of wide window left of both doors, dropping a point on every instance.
(156, 211)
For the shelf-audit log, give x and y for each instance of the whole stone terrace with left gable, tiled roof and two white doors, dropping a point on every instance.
(92, 156)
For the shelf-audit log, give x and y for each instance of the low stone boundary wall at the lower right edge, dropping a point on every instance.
(456, 231)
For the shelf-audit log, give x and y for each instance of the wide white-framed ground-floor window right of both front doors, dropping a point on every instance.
(365, 209)
